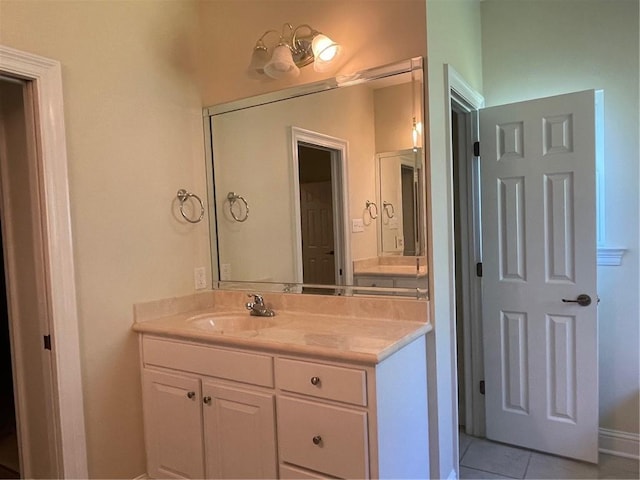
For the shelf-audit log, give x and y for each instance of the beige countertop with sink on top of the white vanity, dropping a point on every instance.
(361, 340)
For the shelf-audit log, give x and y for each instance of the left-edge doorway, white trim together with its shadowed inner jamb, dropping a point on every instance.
(40, 80)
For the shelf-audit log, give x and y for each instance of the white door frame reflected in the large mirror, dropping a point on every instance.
(338, 148)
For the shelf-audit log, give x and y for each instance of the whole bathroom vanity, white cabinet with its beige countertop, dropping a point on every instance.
(300, 395)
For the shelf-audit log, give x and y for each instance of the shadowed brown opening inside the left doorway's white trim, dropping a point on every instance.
(28, 446)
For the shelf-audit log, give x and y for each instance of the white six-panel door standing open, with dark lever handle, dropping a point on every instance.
(539, 258)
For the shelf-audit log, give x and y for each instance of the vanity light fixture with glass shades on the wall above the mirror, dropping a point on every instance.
(296, 48)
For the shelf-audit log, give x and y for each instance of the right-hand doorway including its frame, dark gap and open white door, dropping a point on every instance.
(539, 360)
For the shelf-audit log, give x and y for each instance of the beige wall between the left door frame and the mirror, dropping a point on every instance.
(134, 136)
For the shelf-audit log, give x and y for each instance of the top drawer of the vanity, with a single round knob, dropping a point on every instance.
(324, 381)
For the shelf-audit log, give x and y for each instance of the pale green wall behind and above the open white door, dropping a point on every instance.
(561, 50)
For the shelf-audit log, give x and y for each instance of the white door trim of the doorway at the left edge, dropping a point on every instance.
(68, 422)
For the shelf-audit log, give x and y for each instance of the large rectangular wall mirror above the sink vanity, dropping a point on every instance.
(320, 188)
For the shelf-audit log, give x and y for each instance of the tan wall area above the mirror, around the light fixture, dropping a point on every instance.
(373, 32)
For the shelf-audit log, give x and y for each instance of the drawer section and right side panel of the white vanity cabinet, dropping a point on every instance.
(353, 421)
